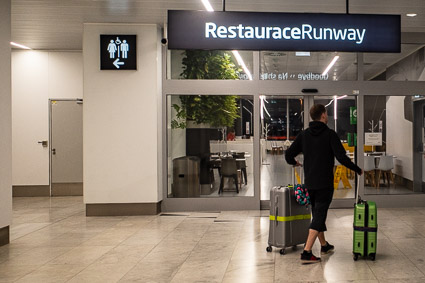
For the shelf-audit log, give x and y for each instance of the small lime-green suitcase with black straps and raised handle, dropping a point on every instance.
(365, 228)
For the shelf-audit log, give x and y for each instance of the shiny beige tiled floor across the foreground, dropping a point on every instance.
(52, 241)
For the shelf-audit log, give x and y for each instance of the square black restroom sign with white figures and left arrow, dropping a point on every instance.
(118, 52)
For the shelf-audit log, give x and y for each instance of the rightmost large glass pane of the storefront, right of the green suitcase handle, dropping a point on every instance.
(393, 147)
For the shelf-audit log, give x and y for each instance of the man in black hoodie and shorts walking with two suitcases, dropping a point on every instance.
(320, 145)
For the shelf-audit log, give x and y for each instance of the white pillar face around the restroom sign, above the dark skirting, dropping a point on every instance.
(122, 120)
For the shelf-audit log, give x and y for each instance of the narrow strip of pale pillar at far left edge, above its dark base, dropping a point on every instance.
(5, 117)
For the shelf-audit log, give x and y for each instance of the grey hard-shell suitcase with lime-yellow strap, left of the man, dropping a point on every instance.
(289, 221)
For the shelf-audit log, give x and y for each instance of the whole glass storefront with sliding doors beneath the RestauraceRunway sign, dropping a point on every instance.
(204, 139)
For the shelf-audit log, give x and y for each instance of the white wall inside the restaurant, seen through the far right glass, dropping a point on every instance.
(399, 137)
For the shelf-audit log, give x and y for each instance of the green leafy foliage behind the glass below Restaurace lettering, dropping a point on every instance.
(216, 110)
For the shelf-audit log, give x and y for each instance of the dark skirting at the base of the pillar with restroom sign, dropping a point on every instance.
(122, 209)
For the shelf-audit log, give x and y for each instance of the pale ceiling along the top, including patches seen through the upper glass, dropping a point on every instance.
(58, 24)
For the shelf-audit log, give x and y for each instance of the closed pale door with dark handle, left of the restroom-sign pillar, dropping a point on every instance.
(66, 147)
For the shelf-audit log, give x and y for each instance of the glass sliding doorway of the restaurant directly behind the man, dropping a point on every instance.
(282, 118)
